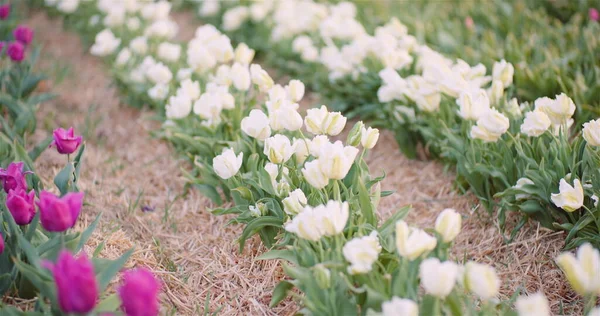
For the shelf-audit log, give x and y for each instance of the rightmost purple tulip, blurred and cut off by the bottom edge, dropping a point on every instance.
(139, 293)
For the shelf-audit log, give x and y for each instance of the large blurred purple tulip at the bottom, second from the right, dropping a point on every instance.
(76, 284)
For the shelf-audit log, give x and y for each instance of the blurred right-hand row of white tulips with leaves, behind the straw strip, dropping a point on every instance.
(528, 157)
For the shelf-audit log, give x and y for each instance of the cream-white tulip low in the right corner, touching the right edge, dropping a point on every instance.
(583, 271)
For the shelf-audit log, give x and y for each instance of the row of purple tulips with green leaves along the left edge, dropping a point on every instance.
(37, 241)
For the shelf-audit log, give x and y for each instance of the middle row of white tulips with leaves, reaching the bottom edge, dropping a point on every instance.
(311, 200)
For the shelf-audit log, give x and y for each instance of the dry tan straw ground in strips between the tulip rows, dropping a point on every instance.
(193, 252)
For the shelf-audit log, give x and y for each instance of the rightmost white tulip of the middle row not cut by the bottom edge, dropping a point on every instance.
(482, 280)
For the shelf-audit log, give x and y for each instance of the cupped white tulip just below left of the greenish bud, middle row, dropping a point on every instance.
(336, 160)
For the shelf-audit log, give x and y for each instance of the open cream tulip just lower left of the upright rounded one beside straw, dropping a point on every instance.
(411, 243)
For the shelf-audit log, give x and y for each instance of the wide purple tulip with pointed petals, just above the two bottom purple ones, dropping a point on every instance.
(59, 214)
